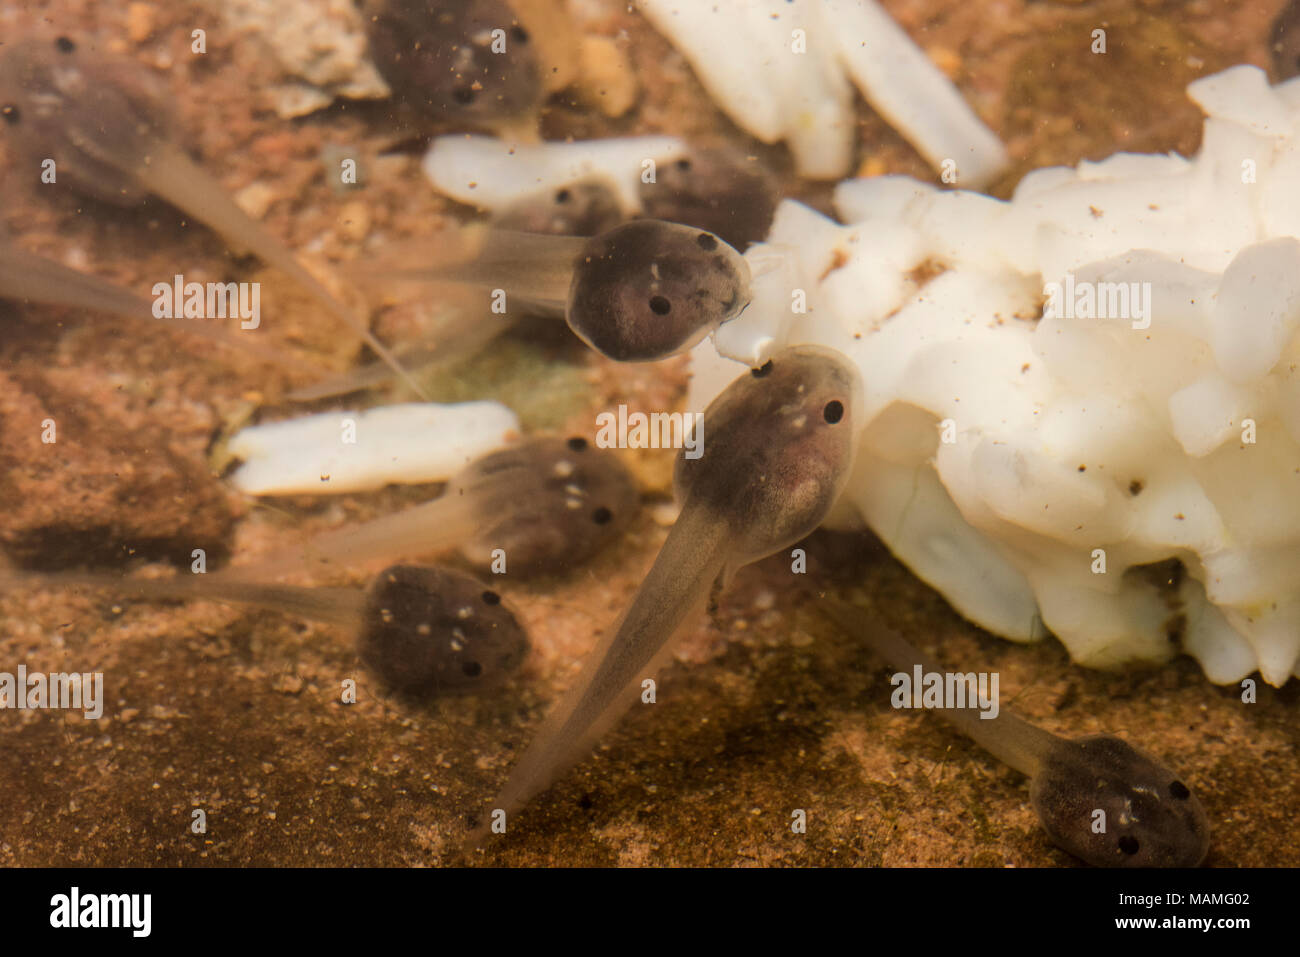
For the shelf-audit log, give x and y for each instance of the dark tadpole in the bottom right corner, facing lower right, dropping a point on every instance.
(1099, 798)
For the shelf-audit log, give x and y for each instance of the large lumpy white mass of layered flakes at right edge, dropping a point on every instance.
(1141, 439)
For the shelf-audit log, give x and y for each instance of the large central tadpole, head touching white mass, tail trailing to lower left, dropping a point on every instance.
(777, 454)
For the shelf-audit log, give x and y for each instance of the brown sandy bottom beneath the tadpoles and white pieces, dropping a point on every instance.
(769, 711)
